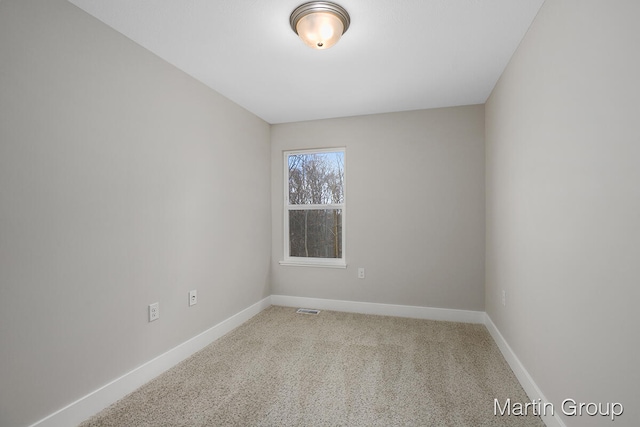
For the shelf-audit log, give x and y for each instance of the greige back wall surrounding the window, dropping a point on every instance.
(415, 208)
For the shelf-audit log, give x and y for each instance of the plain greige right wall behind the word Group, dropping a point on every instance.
(563, 205)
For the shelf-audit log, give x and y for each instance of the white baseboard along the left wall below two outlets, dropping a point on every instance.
(92, 403)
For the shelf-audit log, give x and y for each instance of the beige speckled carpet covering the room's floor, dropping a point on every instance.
(334, 369)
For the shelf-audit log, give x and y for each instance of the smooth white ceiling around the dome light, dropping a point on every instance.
(397, 55)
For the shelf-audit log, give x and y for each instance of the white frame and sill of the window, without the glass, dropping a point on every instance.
(310, 261)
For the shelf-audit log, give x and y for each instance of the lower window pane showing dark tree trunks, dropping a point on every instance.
(315, 233)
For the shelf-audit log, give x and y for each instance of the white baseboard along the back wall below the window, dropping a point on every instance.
(444, 314)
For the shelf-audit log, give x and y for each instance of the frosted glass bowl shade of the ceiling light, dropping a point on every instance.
(320, 30)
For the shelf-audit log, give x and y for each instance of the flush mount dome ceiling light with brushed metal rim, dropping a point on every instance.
(320, 24)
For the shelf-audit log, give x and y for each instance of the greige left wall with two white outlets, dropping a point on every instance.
(123, 182)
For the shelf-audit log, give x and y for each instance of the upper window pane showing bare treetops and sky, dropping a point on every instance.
(316, 178)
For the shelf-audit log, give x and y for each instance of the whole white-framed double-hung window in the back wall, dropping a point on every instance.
(314, 208)
